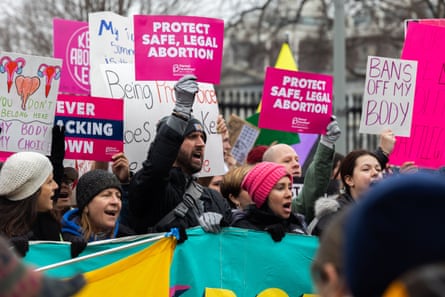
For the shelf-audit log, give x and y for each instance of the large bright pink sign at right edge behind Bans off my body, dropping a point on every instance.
(425, 146)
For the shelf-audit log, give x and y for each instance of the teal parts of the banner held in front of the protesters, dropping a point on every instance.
(235, 262)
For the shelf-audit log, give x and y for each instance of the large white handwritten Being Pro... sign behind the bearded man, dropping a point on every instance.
(146, 102)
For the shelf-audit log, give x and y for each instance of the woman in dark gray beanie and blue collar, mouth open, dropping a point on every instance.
(98, 197)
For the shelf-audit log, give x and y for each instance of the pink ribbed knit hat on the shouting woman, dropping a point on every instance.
(260, 180)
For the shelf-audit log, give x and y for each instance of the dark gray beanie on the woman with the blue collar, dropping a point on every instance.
(92, 183)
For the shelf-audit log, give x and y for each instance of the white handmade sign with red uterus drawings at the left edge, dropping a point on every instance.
(28, 92)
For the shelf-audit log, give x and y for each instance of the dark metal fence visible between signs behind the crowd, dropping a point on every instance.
(243, 101)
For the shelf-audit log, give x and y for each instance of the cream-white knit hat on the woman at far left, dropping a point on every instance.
(23, 174)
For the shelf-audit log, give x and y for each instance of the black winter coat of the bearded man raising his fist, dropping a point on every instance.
(157, 188)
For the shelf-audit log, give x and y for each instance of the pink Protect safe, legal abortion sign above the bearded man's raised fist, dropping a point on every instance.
(168, 47)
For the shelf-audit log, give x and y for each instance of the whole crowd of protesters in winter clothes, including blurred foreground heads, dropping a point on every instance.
(38, 202)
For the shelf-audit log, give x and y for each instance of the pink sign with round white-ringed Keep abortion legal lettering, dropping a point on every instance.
(71, 43)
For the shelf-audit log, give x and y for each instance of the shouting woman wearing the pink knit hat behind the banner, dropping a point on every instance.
(270, 187)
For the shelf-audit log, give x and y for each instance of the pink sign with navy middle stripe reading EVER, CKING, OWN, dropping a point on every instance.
(93, 126)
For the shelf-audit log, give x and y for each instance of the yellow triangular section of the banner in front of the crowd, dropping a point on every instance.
(145, 273)
